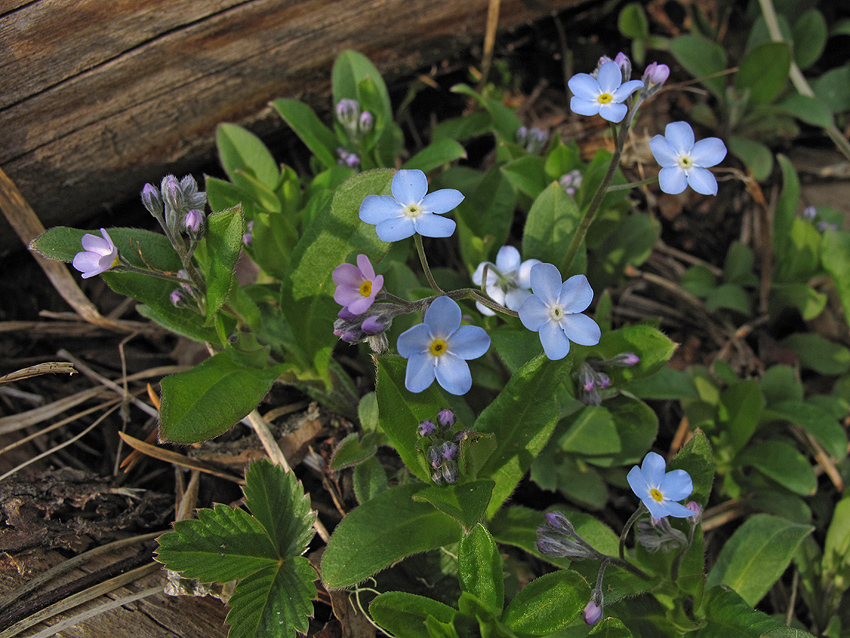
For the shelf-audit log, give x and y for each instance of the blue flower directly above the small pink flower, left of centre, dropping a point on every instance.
(411, 209)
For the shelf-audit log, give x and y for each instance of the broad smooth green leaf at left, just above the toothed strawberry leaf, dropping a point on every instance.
(207, 400)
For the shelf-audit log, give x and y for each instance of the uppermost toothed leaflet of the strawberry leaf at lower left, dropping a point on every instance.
(277, 501)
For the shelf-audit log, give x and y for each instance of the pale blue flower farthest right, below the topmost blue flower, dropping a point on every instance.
(684, 163)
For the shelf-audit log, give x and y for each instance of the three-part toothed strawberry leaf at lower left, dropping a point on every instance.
(261, 550)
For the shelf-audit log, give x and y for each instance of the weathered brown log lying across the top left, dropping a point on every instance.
(100, 96)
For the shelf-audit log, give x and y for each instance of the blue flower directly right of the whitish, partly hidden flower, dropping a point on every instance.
(554, 311)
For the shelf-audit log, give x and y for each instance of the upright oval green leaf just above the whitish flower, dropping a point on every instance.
(550, 226)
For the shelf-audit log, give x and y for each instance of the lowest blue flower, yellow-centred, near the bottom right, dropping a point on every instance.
(658, 490)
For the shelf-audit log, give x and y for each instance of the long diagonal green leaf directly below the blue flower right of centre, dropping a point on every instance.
(522, 426)
